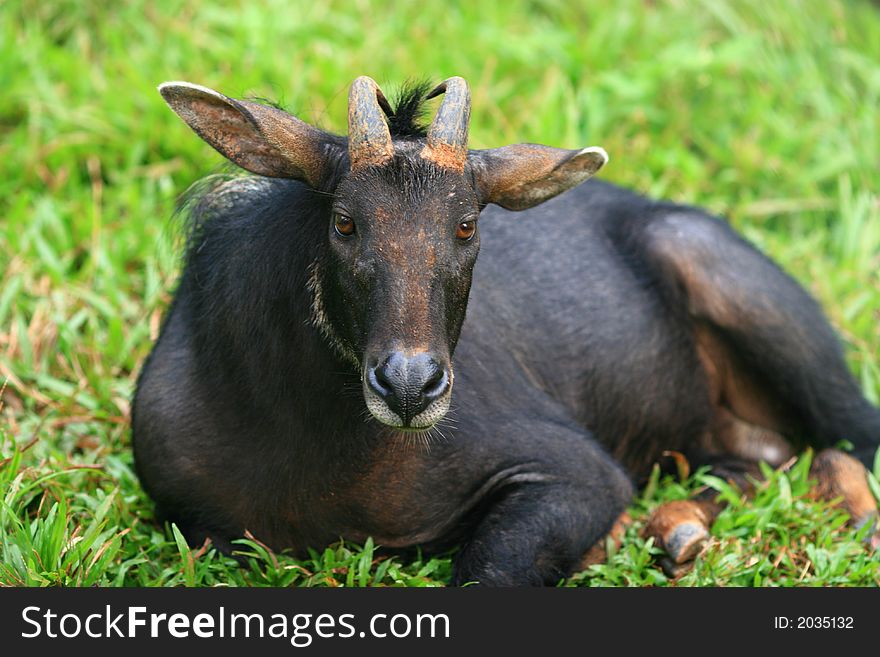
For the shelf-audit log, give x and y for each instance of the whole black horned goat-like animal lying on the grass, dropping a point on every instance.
(302, 384)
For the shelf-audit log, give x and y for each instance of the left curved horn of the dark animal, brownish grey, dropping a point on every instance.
(369, 141)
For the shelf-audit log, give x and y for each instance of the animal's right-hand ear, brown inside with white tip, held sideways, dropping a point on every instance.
(521, 176)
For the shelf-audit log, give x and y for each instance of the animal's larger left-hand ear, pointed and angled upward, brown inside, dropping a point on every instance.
(261, 139)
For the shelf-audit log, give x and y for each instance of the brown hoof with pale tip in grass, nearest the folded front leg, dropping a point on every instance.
(680, 528)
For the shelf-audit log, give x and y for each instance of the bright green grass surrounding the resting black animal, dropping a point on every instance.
(761, 110)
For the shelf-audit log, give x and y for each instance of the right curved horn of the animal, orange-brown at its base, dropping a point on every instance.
(447, 136)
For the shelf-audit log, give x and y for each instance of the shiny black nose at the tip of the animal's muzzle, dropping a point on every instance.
(408, 383)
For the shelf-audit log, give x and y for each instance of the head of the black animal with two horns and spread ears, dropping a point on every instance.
(401, 235)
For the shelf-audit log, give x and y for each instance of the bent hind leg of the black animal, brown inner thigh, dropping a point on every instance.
(772, 357)
